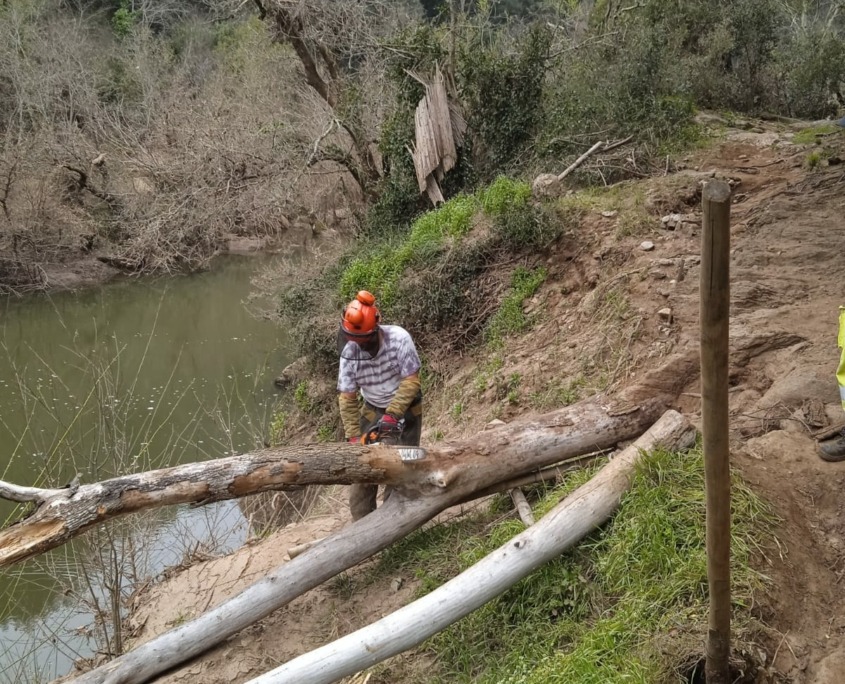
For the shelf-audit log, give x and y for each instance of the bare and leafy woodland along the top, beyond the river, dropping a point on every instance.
(143, 131)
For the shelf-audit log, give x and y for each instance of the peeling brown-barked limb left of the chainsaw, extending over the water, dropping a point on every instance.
(63, 514)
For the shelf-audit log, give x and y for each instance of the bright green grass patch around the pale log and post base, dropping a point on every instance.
(626, 605)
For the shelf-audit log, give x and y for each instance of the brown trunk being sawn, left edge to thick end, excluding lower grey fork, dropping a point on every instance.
(459, 468)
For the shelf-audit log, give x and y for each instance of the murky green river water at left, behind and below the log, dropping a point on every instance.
(131, 376)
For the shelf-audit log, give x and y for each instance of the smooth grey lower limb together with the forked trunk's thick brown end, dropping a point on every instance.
(465, 468)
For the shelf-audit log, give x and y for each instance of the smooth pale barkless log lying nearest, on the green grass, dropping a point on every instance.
(585, 509)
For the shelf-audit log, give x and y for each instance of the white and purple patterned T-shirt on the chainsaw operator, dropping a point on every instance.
(378, 378)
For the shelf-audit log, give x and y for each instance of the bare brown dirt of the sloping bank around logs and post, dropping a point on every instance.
(612, 307)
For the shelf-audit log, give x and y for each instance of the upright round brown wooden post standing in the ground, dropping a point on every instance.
(715, 305)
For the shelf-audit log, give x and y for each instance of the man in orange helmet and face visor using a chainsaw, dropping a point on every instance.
(381, 362)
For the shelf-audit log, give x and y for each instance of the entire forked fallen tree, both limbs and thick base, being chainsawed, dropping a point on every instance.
(494, 461)
